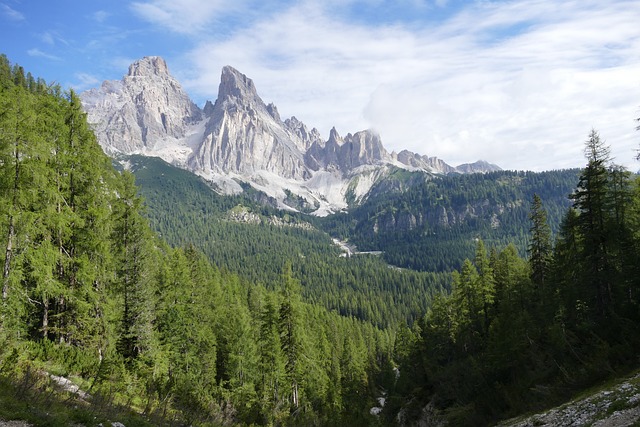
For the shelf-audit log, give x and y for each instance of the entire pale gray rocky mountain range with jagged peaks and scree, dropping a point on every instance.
(238, 138)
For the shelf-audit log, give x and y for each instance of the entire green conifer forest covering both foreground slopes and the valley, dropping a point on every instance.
(168, 313)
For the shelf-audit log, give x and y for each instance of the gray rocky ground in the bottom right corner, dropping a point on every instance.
(617, 405)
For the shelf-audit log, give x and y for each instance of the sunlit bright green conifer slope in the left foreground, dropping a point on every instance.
(88, 291)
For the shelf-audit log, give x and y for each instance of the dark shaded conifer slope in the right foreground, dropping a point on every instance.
(518, 334)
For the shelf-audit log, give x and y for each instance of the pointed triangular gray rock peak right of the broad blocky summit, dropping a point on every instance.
(243, 135)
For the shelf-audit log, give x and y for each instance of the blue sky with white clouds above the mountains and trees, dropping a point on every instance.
(518, 83)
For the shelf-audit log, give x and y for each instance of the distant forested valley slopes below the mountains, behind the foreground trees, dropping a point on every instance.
(256, 244)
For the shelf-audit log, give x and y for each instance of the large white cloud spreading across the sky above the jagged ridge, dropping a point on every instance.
(518, 83)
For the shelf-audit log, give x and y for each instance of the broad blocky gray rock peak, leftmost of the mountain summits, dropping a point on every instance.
(145, 109)
